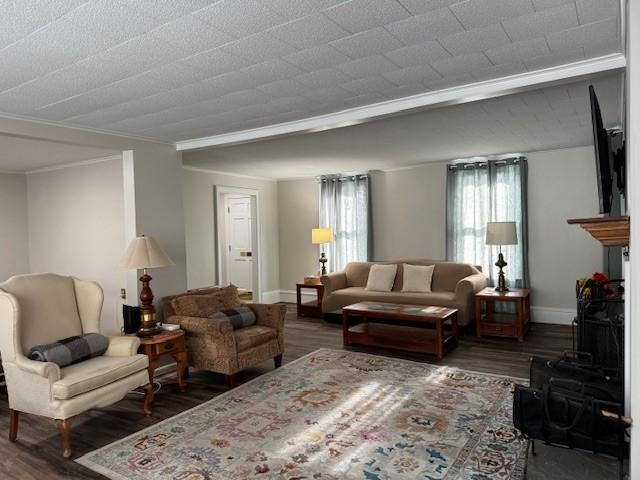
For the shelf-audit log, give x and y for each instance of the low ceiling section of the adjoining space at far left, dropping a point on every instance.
(19, 154)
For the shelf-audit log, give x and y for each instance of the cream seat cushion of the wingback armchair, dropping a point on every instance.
(95, 373)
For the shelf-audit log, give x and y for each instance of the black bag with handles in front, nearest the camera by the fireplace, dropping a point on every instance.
(561, 413)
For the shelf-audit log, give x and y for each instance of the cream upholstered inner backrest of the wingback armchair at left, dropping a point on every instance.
(48, 308)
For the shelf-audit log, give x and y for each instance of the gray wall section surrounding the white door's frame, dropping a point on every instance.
(199, 226)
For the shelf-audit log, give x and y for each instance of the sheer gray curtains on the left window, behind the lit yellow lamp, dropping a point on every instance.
(345, 207)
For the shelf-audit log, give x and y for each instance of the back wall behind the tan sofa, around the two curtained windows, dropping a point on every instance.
(409, 215)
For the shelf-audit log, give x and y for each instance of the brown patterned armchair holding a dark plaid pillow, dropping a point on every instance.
(213, 344)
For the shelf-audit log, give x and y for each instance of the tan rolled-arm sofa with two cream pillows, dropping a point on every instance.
(453, 285)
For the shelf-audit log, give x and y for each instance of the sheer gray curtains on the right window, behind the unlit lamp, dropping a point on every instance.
(481, 192)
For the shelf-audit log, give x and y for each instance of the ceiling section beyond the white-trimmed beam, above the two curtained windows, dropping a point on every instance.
(544, 119)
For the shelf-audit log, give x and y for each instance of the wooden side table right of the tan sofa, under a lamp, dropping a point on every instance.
(503, 324)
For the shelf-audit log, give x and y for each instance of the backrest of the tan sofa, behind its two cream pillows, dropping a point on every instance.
(445, 276)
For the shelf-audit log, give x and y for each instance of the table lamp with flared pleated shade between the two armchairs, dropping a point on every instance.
(143, 253)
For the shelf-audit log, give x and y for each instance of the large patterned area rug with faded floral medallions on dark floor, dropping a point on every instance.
(334, 415)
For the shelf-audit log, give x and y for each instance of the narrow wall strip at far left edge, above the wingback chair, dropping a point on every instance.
(14, 247)
